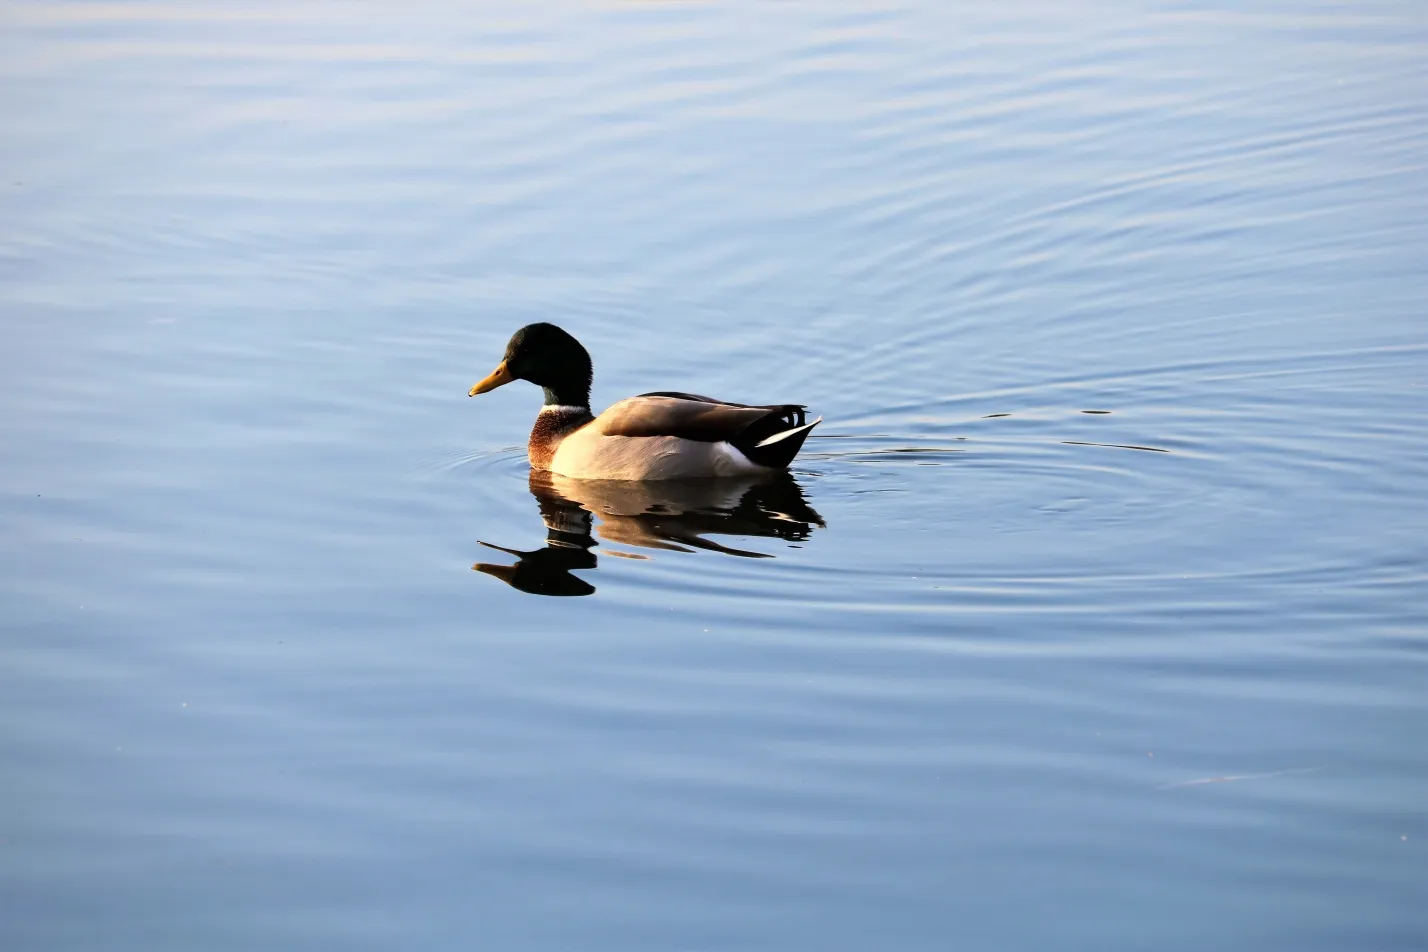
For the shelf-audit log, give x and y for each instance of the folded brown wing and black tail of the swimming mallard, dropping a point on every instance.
(770, 435)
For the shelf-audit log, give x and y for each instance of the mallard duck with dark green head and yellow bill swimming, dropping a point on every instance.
(659, 436)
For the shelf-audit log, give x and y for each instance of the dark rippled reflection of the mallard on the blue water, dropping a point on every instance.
(673, 516)
